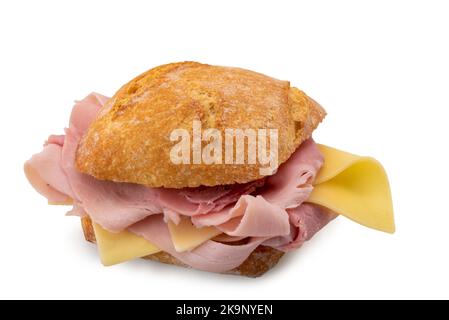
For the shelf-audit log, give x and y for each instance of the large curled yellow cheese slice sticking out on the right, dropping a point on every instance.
(355, 187)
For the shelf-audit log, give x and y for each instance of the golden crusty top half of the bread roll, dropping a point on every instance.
(130, 139)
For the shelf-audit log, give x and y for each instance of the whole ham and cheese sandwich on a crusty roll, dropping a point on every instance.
(207, 167)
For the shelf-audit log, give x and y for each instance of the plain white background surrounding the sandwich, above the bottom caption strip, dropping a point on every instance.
(380, 68)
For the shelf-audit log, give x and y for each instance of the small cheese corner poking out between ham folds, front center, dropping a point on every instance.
(186, 236)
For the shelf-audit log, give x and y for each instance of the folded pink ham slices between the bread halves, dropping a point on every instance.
(270, 211)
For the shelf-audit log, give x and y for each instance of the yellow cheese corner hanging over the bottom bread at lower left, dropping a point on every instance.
(120, 247)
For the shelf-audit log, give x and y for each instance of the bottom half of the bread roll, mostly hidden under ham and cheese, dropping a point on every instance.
(260, 261)
